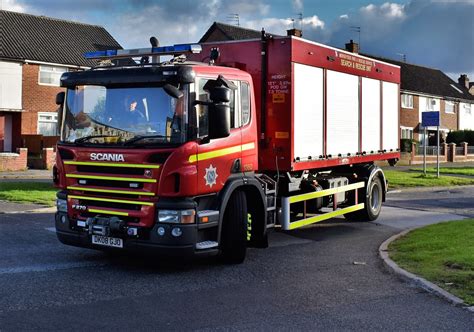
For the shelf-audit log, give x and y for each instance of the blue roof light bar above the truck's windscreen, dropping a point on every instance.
(138, 52)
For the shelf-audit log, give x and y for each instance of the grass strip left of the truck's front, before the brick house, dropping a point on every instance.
(28, 192)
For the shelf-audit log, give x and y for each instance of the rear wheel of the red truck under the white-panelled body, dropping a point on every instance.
(373, 202)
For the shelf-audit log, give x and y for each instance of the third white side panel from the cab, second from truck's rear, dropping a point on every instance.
(370, 115)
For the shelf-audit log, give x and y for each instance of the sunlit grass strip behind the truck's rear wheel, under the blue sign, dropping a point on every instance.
(403, 179)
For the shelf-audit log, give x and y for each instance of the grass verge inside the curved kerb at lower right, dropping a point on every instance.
(442, 253)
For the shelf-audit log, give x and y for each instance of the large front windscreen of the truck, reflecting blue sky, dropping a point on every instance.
(133, 115)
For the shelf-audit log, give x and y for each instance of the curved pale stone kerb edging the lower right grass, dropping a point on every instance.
(412, 278)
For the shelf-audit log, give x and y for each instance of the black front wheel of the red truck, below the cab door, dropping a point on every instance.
(234, 229)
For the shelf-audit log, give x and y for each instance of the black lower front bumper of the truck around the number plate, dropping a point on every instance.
(148, 242)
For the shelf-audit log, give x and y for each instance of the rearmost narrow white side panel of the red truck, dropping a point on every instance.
(390, 116)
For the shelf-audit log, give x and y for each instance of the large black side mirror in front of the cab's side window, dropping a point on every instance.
(219, 112)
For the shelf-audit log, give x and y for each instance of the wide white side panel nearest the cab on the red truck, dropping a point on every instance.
(308, 114)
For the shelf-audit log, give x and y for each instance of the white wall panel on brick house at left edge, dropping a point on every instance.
(10, 85)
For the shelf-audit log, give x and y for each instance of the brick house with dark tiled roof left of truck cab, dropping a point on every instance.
(34, 52)
